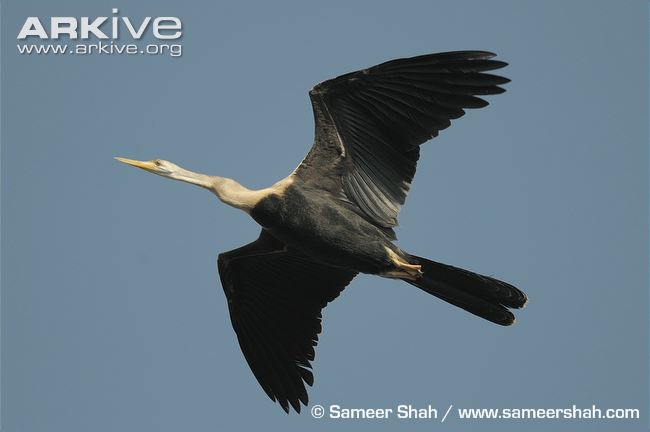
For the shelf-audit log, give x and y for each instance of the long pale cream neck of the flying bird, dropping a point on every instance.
(229, 191)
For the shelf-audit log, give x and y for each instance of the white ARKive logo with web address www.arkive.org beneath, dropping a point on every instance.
(106, 30)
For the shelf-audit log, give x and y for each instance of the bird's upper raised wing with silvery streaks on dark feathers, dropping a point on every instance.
(370, 123)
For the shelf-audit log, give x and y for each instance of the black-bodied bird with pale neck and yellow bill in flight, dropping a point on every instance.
(333, 216)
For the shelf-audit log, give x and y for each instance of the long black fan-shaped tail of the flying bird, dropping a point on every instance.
(481, 295)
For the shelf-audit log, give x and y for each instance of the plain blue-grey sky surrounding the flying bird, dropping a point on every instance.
(113, 318)
